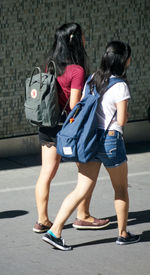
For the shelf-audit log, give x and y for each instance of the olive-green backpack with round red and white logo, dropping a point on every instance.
(41, 98)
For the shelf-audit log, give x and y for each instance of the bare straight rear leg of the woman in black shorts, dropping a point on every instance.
(50, 163)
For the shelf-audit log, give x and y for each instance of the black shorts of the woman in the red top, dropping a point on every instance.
(48, 134)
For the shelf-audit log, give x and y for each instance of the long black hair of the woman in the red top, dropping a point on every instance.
(68, 48)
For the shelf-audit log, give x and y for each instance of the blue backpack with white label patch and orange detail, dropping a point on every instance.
(77, 140)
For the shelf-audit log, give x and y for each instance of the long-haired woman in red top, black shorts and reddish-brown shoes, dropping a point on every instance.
(70, 58)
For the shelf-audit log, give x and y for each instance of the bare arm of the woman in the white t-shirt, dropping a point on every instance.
(122, 114)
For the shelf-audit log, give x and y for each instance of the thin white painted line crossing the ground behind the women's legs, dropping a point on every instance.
(55, 184)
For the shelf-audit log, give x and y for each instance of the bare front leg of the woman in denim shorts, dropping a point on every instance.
(119, 180)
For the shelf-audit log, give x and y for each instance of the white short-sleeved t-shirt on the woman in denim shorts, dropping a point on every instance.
(107, 106)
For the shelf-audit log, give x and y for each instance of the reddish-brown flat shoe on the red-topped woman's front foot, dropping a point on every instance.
(96, 224)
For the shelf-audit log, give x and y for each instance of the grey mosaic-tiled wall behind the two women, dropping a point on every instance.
(26, 33)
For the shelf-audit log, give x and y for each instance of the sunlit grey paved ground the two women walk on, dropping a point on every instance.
(22, 252)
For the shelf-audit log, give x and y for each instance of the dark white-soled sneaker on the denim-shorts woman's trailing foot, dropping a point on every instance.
(56, 242)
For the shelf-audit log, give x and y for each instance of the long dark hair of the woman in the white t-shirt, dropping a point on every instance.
(113, 62)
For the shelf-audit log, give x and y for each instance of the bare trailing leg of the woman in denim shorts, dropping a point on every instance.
(87, 177)
